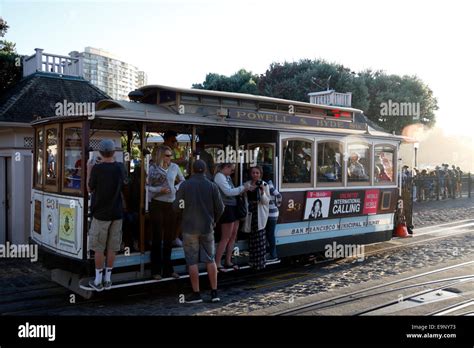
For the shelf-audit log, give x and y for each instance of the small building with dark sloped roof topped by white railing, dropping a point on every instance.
(48, 79)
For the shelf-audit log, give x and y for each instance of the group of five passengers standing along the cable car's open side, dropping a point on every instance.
(187, 210)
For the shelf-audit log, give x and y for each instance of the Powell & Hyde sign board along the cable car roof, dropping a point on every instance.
(287, 118)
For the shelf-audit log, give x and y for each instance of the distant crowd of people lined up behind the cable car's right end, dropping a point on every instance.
(444, 181)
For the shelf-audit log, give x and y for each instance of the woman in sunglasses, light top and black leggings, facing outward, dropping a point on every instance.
(162, 176)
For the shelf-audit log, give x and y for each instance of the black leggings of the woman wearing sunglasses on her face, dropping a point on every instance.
(164, 226)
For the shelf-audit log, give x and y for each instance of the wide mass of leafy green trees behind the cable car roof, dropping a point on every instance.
(294, 80)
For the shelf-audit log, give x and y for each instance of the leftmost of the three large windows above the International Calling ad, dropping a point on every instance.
(297, 159)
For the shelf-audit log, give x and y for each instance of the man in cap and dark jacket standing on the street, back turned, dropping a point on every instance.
(202, 206)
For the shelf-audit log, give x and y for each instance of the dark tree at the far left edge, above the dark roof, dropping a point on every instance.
(10, 61)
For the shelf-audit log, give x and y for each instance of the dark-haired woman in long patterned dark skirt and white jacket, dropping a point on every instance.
(256, 221)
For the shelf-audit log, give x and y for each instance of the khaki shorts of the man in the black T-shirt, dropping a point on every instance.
(105, 235)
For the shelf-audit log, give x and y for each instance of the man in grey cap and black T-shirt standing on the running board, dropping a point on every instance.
(106, 181)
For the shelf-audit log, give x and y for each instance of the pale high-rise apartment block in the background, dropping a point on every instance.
(112, 75)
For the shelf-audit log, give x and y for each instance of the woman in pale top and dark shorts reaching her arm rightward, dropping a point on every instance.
(230, 218)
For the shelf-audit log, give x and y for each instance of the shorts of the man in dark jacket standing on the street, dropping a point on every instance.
(198, 248)
